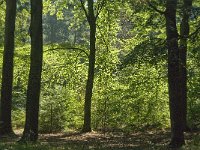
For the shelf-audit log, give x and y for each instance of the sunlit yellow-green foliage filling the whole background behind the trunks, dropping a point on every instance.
(130, 90)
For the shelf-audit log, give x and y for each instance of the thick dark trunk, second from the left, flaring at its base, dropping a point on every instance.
(33, 92)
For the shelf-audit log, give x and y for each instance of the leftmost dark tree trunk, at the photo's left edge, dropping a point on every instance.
(7, 72)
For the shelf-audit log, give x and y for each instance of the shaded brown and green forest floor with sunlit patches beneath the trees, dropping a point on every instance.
(140, 140)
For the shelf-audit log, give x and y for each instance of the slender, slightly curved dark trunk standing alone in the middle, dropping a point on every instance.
(89, 86)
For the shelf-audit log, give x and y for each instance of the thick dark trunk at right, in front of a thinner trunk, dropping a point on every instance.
(175, 103)
